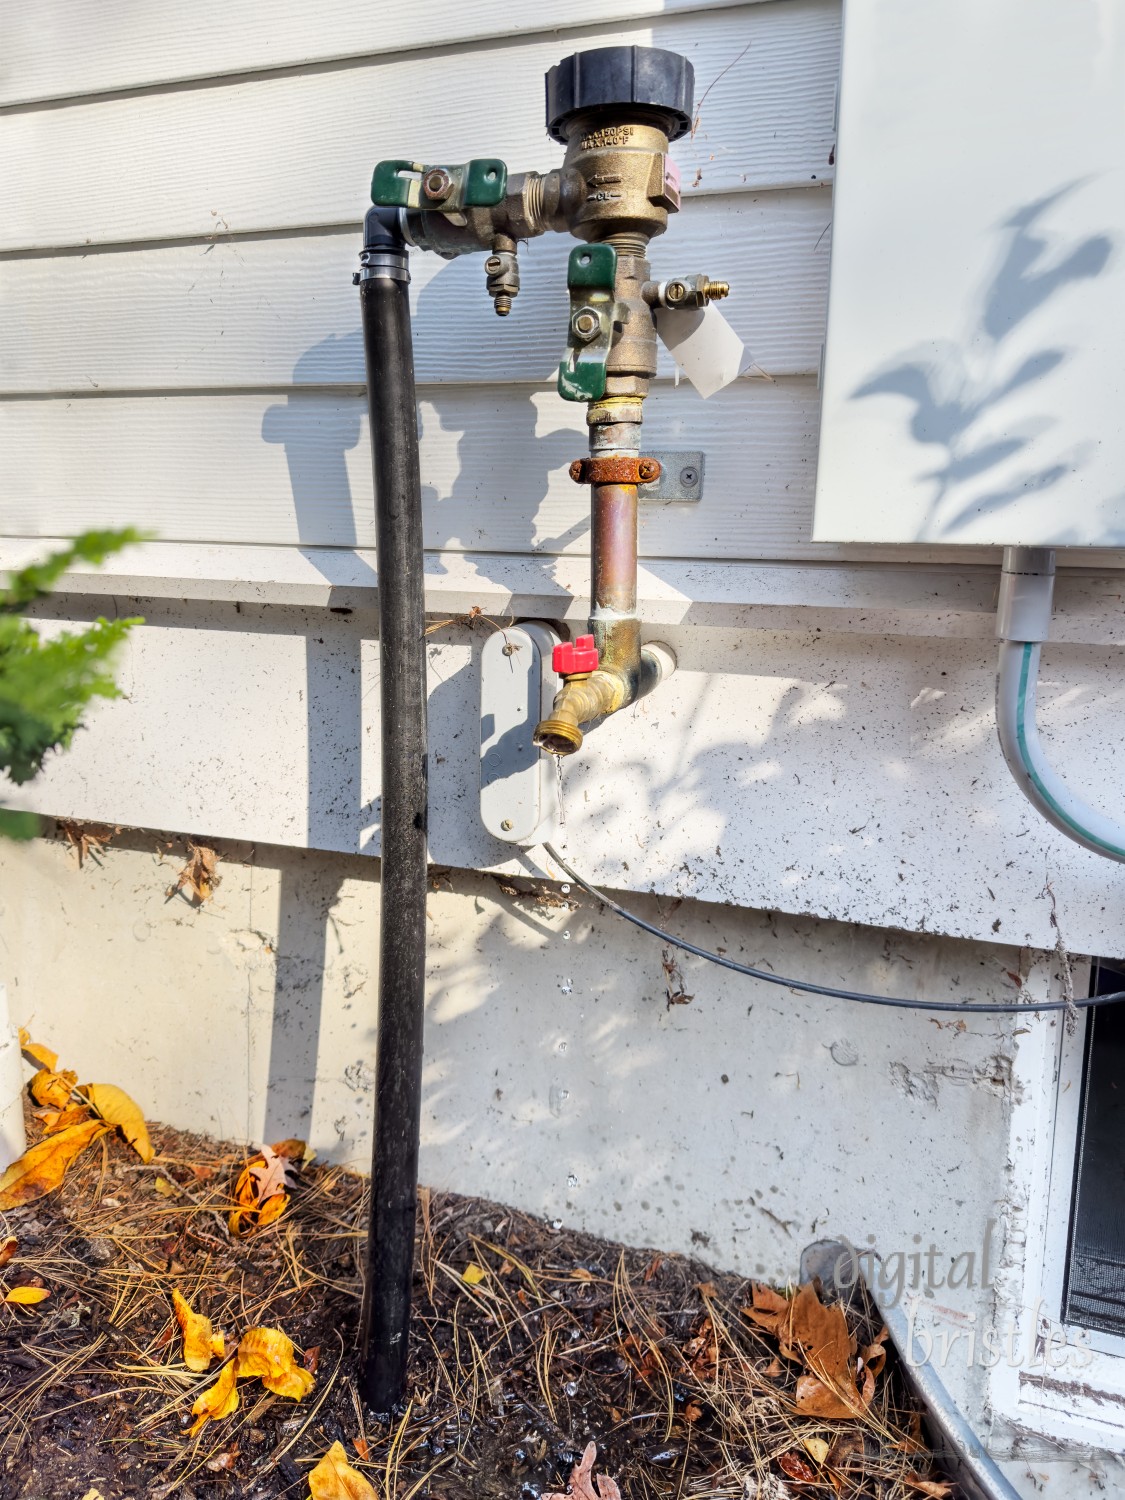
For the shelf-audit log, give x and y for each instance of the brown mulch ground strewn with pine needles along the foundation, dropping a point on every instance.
(557, 1340)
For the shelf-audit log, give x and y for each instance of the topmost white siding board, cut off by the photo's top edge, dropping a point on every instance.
(64, 49)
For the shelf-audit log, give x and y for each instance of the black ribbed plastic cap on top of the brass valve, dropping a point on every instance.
(622, 76)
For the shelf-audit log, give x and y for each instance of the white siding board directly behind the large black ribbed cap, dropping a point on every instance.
(298, 151)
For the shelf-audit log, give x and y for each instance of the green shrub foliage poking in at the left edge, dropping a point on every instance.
(47, 683)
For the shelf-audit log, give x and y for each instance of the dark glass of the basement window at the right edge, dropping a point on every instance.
(1094, 1289)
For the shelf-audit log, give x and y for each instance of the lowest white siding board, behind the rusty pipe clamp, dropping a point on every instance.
(494, 469)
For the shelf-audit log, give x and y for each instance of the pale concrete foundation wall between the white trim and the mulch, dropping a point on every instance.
(740, 1124)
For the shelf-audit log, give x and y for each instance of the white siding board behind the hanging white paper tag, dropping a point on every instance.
(284, 313)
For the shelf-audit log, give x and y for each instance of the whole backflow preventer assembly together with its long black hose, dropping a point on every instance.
(616, 110)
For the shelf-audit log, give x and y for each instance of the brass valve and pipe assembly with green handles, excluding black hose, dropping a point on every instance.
(616, 110)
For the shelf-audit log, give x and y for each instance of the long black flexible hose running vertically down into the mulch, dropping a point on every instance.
(385, 1321)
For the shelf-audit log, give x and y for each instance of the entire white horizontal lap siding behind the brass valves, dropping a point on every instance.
(179, 334)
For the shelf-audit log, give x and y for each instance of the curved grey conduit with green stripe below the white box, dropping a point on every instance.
(1022, 625)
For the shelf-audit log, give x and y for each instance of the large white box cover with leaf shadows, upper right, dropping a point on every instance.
(974, 376)
